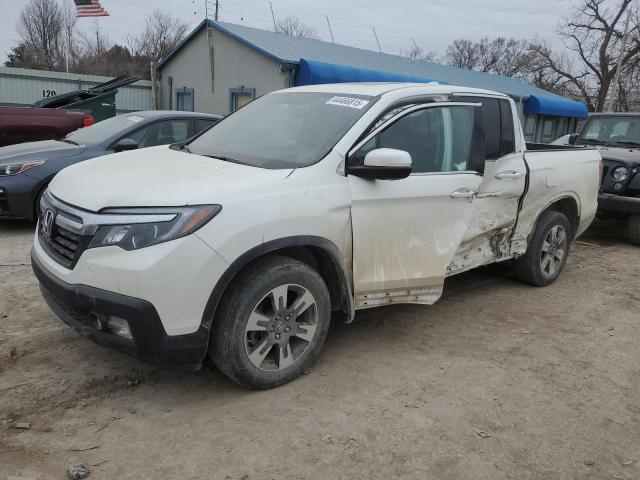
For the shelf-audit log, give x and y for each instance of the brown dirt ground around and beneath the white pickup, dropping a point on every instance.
(498, 380)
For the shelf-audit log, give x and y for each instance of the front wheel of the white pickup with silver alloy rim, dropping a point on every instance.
(261, 343)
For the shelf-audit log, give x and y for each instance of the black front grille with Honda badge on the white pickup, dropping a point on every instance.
(63, 244)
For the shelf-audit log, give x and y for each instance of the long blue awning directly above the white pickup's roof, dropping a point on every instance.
(313, 72)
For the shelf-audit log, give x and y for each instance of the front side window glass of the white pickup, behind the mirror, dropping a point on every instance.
(438, 139)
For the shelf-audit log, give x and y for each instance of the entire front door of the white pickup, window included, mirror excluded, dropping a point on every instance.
(406, 232)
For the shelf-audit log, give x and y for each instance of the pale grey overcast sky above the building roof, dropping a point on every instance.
(433, 24)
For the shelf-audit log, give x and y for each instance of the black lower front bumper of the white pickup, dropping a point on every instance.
(79, 306)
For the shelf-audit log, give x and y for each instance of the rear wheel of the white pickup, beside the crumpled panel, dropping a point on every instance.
(547, 252)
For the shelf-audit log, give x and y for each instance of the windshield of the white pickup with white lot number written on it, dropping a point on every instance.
(283, 130)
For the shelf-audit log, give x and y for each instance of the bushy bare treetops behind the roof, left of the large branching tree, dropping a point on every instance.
(509, 57)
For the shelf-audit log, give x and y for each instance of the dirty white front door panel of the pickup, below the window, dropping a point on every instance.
(405, 234)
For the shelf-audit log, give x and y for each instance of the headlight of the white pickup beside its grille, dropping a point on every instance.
(140, 234)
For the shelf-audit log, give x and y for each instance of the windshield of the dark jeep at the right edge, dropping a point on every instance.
(613, 130)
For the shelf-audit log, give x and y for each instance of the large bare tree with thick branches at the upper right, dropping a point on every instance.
(594, 36)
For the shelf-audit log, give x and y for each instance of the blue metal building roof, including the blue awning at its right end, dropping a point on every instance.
(290, 50)
